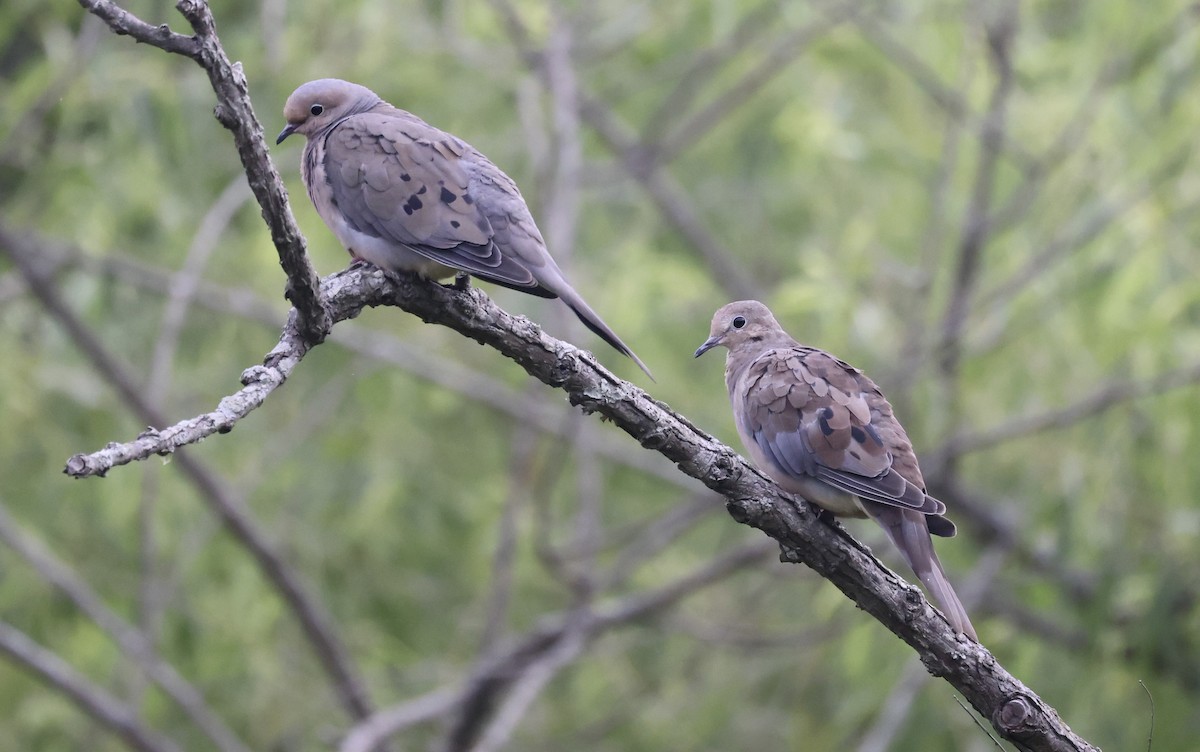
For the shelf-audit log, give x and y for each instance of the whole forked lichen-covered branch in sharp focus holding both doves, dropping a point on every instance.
(1016, 712)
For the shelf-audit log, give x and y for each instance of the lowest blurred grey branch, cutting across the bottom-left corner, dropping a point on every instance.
(93, 701)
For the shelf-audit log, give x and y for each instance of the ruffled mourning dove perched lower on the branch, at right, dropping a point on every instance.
(823, 430)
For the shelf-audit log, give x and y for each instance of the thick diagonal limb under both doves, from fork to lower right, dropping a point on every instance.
(1017, 713)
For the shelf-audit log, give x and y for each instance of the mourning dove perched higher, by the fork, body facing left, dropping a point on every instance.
(407, 197)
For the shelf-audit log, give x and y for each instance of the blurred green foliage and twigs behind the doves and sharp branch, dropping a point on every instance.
(992, 208)
